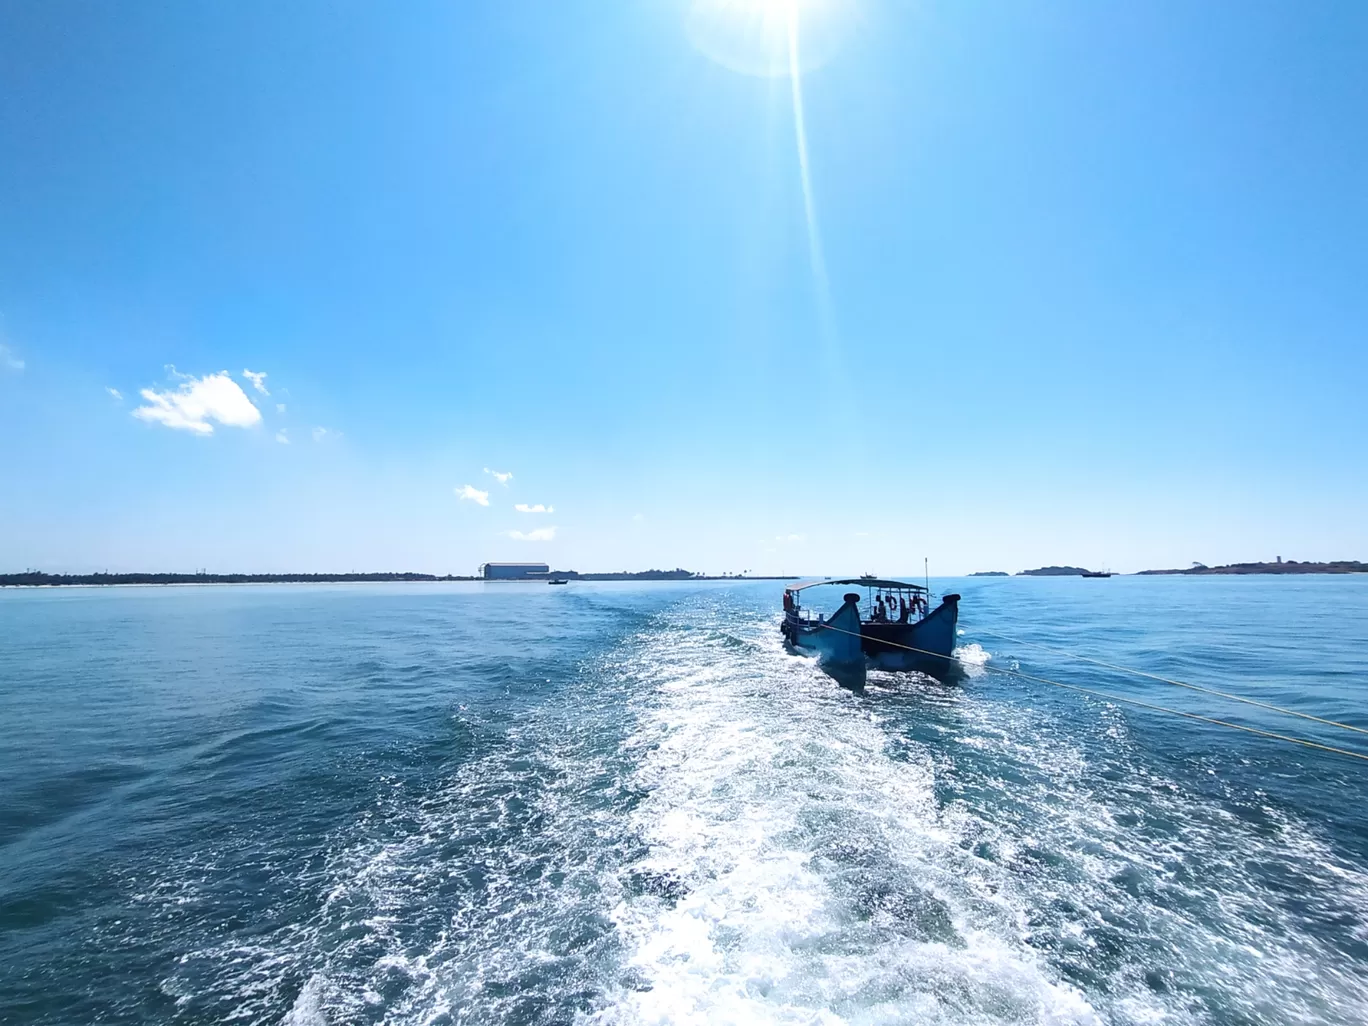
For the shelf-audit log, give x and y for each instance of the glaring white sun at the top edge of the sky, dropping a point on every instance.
(769, 38)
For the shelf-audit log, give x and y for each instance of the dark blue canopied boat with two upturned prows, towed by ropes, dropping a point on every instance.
(891, 627)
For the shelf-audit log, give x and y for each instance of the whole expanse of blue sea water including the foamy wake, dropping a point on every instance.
(616, 804)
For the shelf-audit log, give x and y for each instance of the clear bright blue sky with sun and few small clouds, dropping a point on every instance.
(785, 287)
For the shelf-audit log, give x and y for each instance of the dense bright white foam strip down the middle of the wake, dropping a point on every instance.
(808, 865)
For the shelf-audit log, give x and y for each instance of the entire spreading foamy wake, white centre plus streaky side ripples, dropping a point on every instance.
(701, 828)
